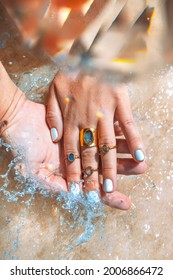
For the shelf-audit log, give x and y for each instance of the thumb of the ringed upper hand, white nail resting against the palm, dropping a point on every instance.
(54, 117)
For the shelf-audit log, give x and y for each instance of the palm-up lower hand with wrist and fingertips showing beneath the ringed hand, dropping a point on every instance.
(23, 122)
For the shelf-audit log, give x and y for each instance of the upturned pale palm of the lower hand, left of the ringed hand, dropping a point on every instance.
(25, 126)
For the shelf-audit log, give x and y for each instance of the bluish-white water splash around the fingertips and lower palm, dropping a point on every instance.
(83, 208)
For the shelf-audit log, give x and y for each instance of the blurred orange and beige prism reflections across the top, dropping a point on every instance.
(123, 34)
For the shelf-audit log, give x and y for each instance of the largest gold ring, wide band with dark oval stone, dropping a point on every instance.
(88, 137)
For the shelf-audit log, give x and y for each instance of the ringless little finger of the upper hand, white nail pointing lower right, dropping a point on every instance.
(128, 125)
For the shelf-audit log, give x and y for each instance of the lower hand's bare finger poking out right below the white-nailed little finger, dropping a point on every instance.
(129, 166)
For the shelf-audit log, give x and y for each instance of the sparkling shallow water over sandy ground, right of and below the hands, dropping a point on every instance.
(37, 225)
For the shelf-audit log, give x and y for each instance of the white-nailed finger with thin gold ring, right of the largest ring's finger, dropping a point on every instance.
(109, 168)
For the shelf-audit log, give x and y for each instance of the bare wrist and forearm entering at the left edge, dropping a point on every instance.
(9, 94)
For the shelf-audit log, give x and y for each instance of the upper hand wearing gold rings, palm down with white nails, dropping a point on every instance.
(86, 103)
